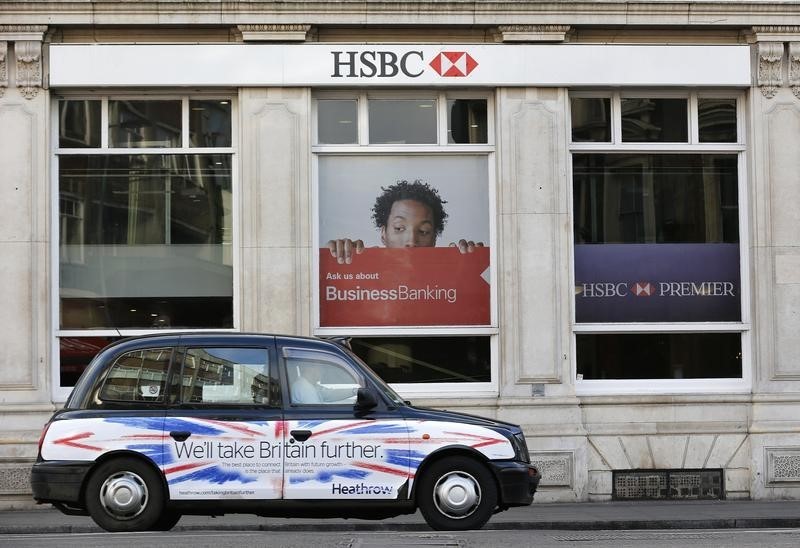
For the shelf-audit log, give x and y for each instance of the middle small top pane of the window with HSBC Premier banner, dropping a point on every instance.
(655, 120)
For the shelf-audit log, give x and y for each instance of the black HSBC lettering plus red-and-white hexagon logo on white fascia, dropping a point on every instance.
(412, 64)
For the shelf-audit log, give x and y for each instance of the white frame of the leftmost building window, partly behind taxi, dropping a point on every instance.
(60, 393)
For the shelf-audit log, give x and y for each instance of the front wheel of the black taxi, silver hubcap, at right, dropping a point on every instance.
(456, 494)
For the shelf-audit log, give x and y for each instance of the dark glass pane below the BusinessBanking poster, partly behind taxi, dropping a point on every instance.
(426, 359)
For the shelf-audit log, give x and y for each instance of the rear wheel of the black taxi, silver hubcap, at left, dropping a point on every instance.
(125, 494)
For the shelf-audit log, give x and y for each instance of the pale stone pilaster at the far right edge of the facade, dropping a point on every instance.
(774, 201)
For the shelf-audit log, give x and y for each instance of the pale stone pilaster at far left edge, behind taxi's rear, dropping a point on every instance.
(25, 397)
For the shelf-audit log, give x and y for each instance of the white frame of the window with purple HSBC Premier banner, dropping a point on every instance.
(600, 387)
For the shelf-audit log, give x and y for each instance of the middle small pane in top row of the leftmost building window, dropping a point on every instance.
(143, 124)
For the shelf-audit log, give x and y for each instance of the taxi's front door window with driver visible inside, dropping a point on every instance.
(318, 378)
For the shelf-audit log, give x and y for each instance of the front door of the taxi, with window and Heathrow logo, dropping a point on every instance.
(332, 450)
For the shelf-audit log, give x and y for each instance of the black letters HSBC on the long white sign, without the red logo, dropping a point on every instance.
(383, 64)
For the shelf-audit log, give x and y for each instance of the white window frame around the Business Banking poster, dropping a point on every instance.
(441, 148)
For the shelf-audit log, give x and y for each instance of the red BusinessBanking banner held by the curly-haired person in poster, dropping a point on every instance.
(405, 287)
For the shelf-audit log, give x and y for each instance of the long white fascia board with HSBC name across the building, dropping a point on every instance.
(261, 65)
